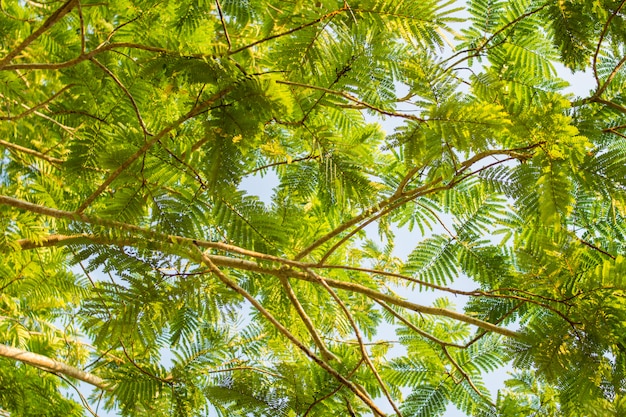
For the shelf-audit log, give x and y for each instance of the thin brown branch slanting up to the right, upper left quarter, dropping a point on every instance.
(192, 113)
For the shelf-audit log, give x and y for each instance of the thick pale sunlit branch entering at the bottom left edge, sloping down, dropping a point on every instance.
(53, 366)
